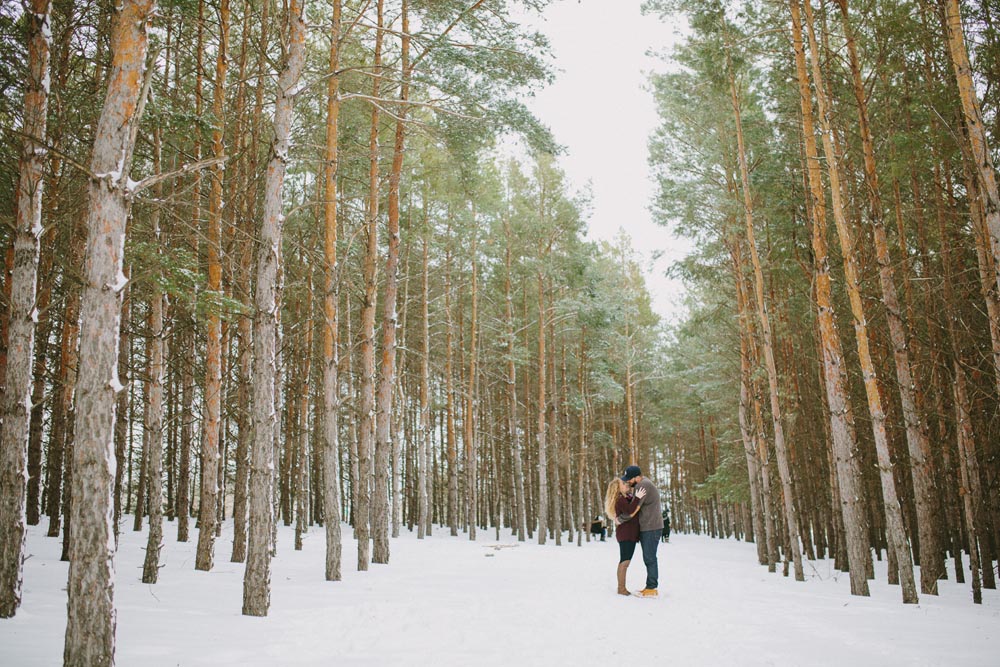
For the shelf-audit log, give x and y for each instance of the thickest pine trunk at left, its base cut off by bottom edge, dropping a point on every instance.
(90, 628)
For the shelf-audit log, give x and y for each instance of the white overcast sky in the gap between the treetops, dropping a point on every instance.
(600, 110)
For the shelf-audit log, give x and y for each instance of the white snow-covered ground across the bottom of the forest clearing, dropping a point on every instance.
(456, 602)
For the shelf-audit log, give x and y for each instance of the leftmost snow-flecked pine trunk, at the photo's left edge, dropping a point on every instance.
(15, 405)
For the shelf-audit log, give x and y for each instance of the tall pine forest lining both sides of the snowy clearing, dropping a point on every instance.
(287, 272)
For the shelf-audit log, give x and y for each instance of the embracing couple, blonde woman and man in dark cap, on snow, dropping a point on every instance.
(633, 503)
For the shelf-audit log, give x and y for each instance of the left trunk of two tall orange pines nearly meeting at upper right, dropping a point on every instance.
(841, 422)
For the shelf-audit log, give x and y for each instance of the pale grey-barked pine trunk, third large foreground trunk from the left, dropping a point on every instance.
(257, 576)
